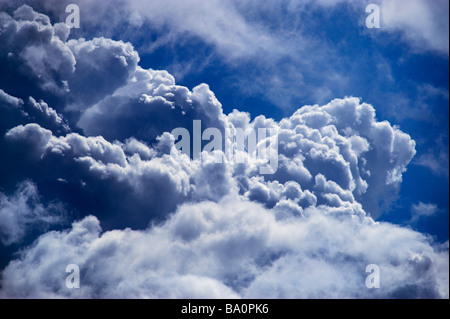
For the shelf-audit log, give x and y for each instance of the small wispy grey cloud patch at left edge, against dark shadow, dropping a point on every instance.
(23, 211)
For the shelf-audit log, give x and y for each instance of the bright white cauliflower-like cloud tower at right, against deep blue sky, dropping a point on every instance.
(341, 149)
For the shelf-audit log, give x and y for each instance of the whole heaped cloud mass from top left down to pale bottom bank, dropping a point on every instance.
(196, 228)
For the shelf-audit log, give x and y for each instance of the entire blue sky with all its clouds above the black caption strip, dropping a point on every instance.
(89, 173)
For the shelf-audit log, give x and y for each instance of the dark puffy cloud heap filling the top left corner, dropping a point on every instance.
(39, 61)
